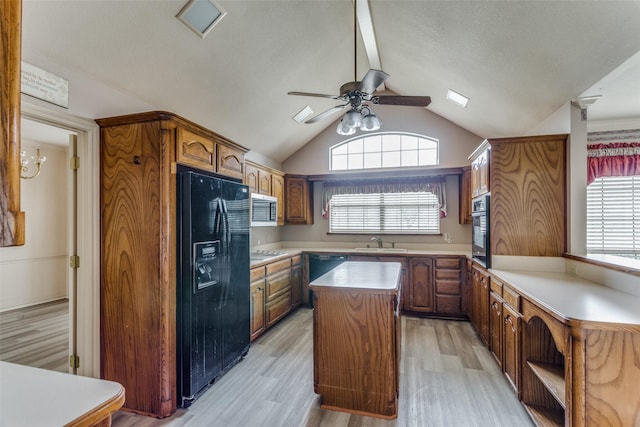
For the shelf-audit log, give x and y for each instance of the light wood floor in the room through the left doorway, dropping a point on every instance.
(37, 336)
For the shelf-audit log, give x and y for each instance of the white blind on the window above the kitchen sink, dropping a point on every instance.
(385, 213)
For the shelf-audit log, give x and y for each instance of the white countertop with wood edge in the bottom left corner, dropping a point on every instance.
(33, 397)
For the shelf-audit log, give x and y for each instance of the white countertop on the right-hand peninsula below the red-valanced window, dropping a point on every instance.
(574, 298)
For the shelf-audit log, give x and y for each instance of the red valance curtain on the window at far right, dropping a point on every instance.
(613, 153)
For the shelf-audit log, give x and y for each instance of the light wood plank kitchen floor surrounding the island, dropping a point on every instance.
(448, 378)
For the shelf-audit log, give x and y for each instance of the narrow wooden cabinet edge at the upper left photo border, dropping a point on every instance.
(11, 218)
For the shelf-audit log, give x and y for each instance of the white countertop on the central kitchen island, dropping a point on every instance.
(361, 275)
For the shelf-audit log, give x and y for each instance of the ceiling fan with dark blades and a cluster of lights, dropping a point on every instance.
(359, 95)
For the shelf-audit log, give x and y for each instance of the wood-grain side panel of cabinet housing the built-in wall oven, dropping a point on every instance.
(528, 196)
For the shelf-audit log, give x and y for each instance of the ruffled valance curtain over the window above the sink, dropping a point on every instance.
(436, 187)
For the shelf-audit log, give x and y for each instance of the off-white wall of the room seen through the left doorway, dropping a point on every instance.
(37, 272)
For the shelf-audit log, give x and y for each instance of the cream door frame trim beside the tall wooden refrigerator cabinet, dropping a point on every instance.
(88, 229)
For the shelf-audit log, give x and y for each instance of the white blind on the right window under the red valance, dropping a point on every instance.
(613, 216)
